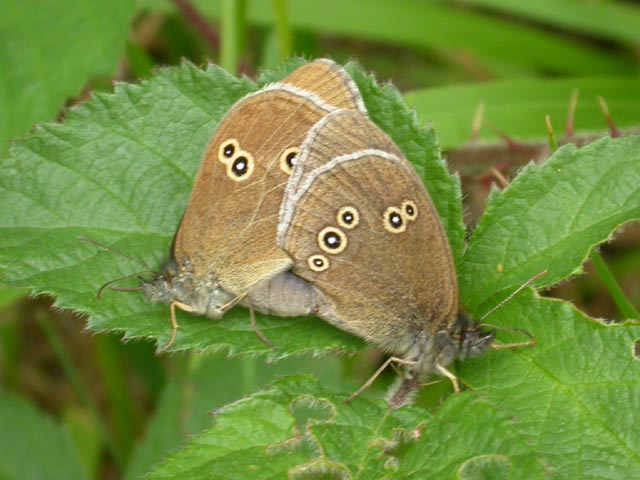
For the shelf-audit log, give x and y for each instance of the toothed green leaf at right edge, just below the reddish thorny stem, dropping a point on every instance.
(550, 217)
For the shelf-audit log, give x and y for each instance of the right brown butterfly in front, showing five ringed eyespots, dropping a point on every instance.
(361, 228)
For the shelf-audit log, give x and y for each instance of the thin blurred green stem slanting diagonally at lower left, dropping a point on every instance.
(76, 383)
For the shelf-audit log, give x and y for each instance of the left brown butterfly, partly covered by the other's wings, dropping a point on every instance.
(224, 250)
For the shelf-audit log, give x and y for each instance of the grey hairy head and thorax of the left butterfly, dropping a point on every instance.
(178, 283)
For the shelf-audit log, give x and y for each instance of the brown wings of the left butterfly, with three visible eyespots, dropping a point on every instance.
(228, 229)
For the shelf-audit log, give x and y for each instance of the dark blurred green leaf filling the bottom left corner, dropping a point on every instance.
(33, 446)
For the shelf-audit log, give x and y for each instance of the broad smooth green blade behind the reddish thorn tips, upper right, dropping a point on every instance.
(518, 107)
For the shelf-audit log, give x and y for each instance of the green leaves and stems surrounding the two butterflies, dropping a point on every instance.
(116, 162)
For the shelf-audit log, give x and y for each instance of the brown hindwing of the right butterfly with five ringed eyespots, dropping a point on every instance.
(364, 231)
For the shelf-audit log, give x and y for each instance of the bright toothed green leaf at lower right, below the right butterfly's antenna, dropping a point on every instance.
(574, 397)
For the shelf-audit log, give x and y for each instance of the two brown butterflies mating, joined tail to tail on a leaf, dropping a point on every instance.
(302, 206)
